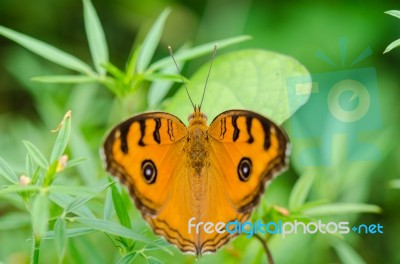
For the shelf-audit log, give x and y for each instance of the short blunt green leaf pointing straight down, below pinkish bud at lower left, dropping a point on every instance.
(40, 215)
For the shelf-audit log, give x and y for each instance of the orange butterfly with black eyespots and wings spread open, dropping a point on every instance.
(177, 174)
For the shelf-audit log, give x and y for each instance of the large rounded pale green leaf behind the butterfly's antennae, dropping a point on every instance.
(255, 80)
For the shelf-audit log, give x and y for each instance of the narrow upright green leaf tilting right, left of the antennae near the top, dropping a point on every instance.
(151, 41)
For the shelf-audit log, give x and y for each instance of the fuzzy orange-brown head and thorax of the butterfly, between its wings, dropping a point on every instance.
(197, 141)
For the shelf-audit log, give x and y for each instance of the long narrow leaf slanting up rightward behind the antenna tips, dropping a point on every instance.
(197, 52)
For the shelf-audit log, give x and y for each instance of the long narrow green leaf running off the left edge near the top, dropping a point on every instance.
(46, 51)
